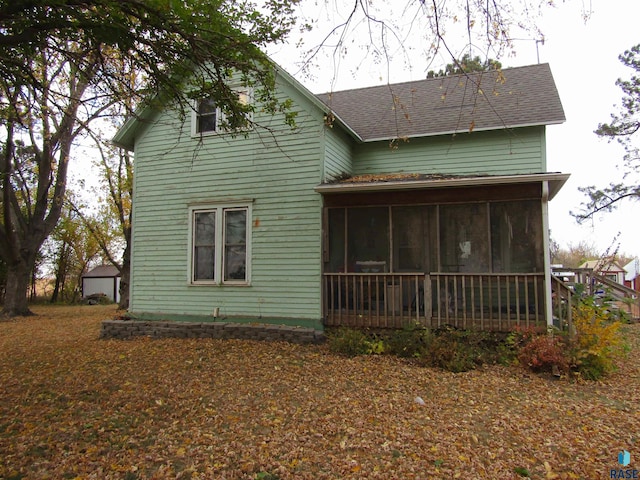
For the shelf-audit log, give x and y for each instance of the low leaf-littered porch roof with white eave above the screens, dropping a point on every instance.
(418, 181)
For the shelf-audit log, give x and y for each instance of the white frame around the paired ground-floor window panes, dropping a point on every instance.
(219, 243)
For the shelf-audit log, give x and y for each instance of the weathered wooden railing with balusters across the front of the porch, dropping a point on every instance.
(465, 300)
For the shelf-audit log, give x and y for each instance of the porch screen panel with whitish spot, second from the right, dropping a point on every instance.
(464, 238)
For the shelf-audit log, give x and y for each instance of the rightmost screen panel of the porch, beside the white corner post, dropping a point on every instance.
(516, 237)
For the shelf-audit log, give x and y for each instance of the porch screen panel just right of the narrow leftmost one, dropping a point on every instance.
(368, 239)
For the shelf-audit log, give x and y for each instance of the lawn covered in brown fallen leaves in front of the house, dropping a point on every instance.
(75, 406)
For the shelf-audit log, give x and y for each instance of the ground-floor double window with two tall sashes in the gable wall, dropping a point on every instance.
(220, 239)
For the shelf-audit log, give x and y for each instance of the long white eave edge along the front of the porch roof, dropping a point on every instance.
(556, 181)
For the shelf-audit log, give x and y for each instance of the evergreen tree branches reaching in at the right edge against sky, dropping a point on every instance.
(623, 128)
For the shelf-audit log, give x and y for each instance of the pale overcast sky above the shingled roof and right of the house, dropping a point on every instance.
(584, 61)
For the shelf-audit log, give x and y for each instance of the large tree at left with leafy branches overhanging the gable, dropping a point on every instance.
(58, 75)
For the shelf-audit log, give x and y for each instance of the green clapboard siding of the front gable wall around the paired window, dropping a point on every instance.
(276, 170)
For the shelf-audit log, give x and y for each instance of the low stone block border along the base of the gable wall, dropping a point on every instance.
(127, 329)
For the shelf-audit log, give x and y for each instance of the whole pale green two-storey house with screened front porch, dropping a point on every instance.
(423, 201)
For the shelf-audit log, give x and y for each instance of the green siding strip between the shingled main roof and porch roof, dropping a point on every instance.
(507, 152)
